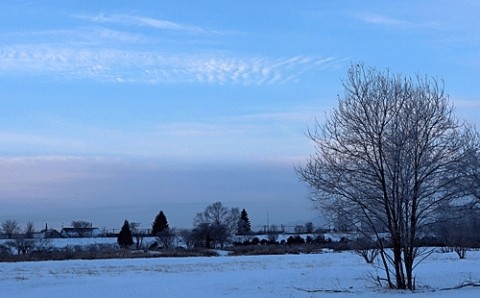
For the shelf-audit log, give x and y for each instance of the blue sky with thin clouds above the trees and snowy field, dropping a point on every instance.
(114, 110)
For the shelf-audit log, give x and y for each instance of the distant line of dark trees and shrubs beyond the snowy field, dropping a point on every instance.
(217, 226)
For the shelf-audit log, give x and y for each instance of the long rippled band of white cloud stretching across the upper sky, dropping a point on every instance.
(155, 67)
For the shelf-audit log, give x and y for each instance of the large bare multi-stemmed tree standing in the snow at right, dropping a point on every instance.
(388, 156)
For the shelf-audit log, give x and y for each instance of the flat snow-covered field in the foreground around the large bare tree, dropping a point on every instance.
(318, 275)
